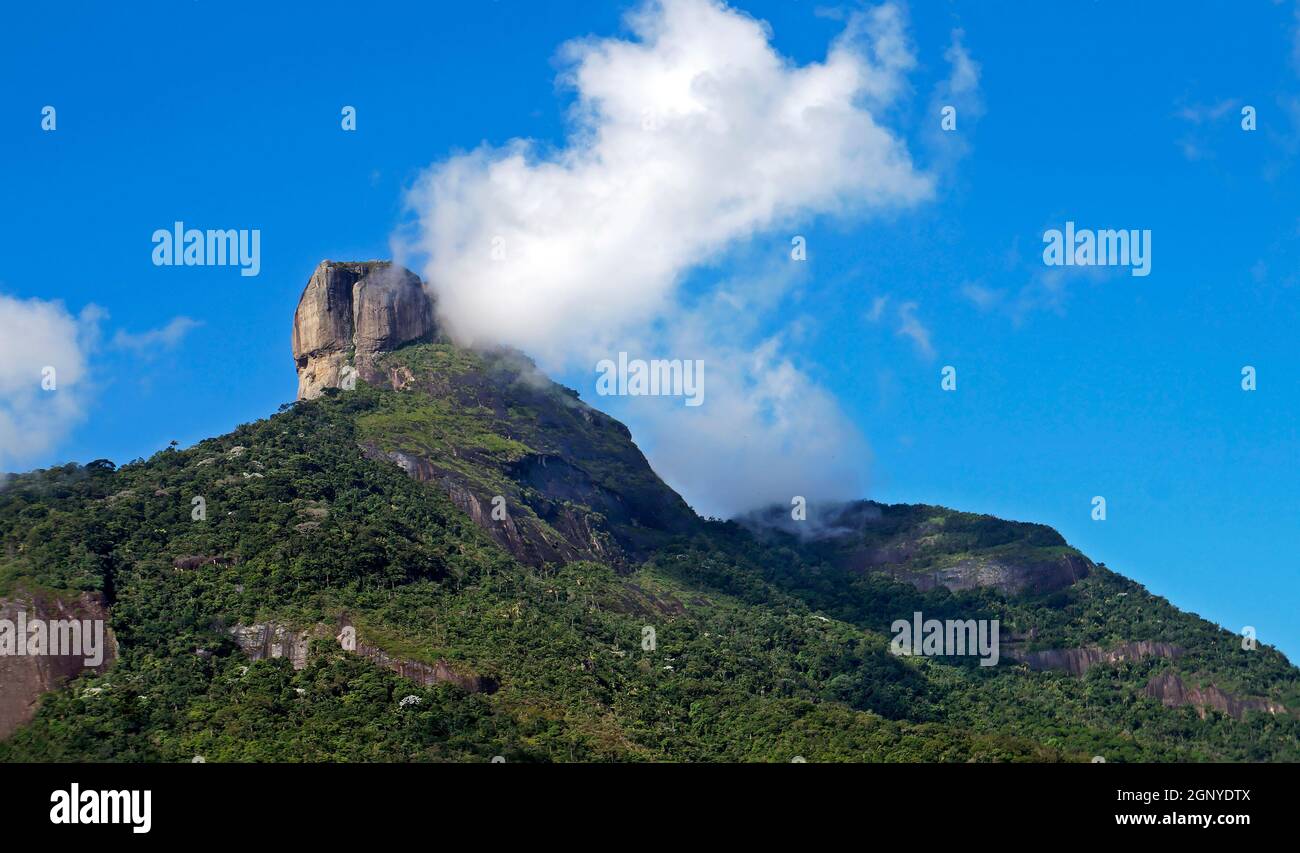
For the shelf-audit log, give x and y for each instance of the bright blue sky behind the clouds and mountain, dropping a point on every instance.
(1110, 115)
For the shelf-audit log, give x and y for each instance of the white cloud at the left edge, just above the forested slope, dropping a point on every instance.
(36, 336)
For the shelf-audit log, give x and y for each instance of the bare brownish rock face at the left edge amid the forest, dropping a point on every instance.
(24, 679)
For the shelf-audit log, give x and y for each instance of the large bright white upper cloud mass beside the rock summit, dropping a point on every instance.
(690, 140)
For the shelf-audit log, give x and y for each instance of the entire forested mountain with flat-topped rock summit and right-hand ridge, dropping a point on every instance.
(439, 555)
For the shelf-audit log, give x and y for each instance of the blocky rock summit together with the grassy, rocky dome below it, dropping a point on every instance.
(483, 426)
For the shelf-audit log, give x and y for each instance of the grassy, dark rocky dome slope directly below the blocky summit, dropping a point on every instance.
(487, 426)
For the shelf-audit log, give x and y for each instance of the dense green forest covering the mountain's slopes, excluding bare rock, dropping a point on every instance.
(764, 650)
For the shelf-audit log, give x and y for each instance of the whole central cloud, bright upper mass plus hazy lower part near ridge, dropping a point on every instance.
(691, 140)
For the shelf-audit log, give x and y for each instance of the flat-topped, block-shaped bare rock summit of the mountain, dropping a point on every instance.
(352, 313)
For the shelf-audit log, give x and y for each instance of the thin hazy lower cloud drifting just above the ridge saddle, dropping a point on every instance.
(768, 431)
